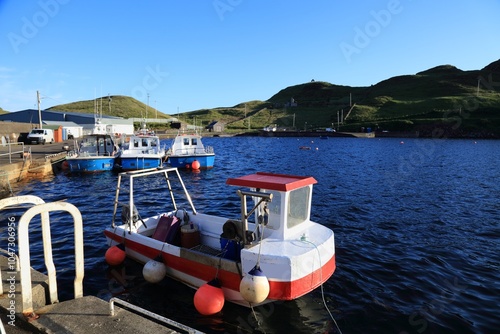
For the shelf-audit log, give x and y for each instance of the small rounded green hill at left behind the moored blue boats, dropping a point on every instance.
(118, 105)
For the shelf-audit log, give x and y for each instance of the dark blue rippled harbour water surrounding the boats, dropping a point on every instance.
(417, 226)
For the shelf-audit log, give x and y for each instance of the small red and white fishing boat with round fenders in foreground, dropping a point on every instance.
(268, 251)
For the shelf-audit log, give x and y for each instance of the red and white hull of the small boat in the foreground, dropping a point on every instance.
(292, 267)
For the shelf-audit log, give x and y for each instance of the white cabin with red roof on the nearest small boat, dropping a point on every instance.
(288, 208)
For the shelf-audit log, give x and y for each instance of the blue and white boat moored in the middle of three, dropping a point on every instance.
(142, 151)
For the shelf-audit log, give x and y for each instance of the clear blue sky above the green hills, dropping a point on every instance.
(188, 55)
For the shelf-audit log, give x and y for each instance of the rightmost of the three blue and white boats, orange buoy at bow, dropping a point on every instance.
(188, 152)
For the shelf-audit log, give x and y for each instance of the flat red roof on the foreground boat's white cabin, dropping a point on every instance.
(270, 181)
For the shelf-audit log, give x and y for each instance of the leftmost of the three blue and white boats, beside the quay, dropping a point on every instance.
(94, 153)
